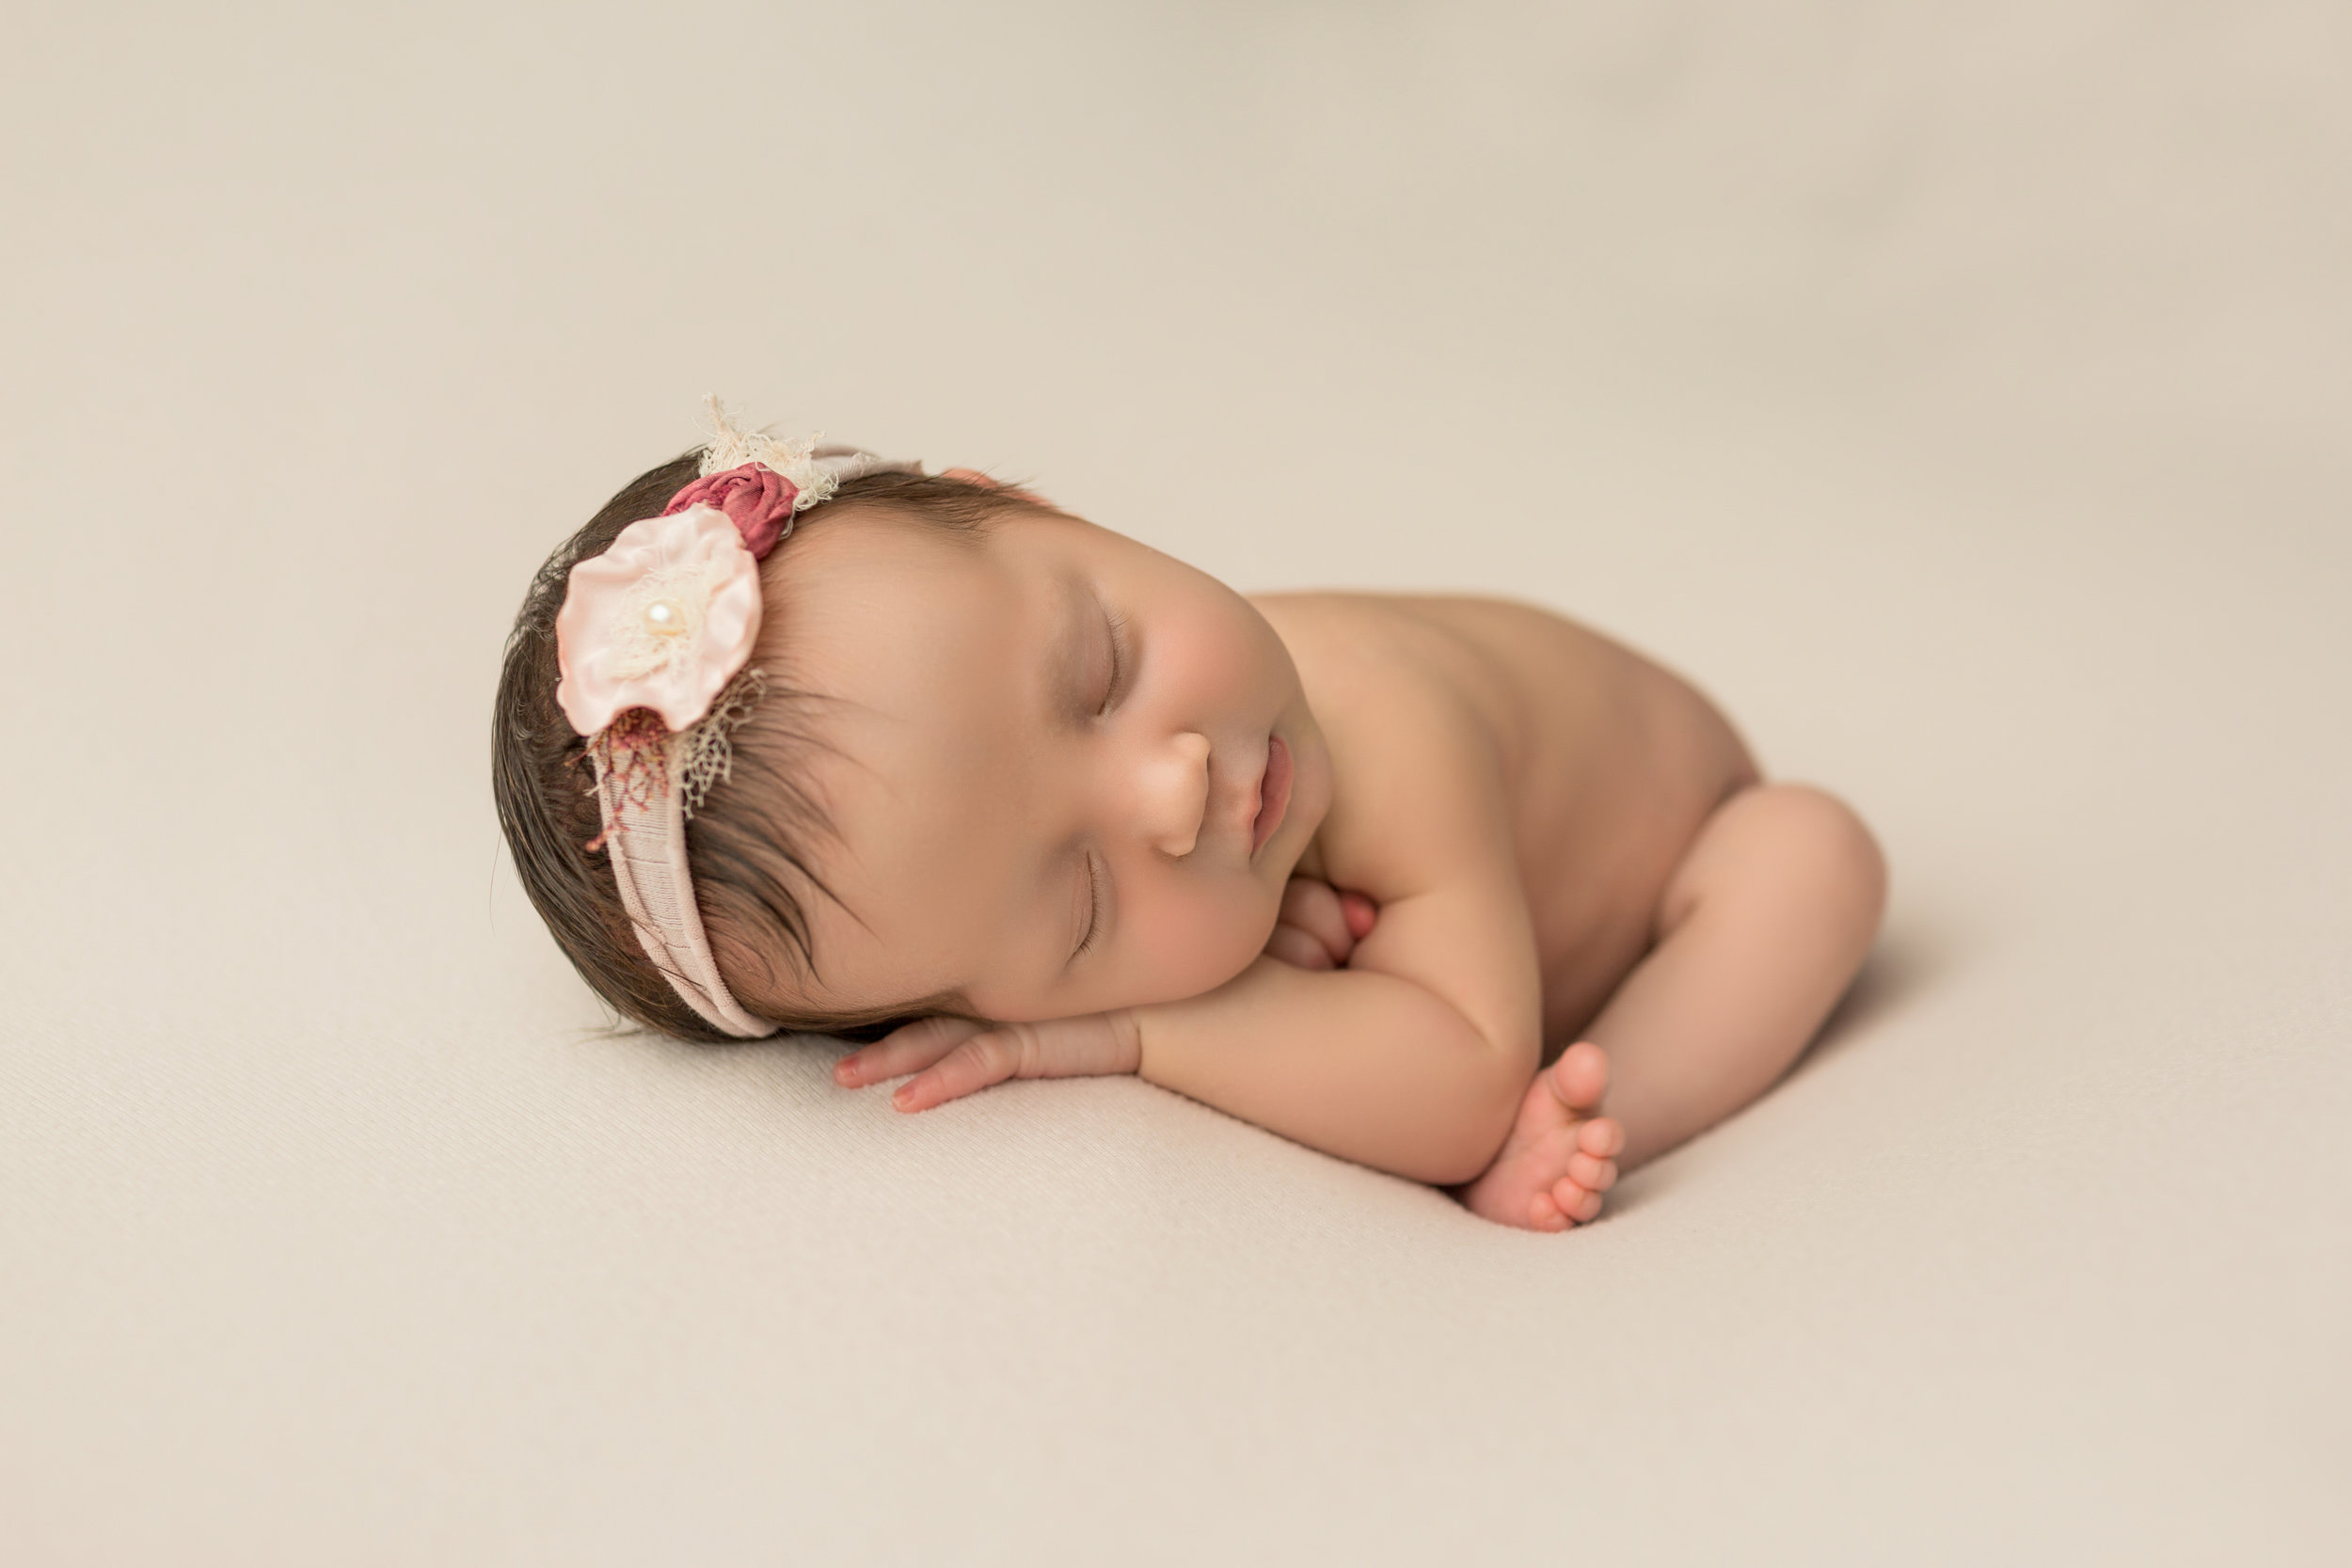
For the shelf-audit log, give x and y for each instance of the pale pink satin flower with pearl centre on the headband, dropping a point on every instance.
(662, 619)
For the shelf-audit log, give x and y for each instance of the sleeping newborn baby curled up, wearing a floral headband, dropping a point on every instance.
(799, 739)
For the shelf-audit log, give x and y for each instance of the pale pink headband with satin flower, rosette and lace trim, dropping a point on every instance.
(653, 641)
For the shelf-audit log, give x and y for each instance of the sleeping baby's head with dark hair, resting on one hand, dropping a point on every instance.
(980, 758)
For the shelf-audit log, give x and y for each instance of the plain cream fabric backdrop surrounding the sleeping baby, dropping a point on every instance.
(1958, 391)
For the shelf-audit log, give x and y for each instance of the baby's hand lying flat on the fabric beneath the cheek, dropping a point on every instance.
(956, 1057)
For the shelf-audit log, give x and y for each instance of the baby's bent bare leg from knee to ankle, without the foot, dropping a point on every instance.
(1758, 937)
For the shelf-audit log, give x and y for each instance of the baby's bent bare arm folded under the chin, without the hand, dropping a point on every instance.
(1417, 1054)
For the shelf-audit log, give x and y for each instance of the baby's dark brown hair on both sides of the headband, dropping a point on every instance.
(751, 840)
